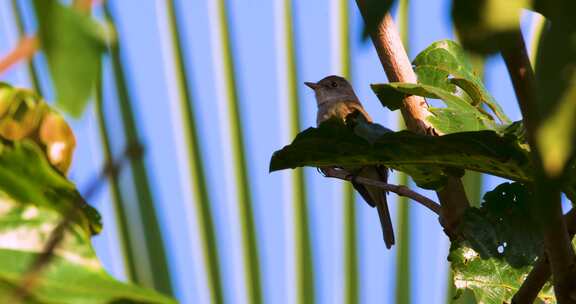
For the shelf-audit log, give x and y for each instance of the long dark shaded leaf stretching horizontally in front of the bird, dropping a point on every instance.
(424, 158)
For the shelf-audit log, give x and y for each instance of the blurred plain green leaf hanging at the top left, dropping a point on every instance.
(73, 44)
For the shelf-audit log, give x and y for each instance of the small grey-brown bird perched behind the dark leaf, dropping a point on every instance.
(335, 97)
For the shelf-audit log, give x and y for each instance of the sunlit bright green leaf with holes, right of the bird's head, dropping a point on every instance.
(445, 73)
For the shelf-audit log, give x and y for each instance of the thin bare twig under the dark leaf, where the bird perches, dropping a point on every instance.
(398, 189)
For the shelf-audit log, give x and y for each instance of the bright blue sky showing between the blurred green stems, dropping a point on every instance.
(253, 22)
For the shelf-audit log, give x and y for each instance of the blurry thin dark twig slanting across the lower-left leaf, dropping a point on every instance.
(31, 276)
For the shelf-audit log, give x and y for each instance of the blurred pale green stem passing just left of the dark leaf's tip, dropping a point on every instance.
(250, 247)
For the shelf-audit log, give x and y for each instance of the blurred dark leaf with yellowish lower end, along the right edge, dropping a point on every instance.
(556, 83)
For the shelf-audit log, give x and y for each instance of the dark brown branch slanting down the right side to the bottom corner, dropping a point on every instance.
(557, 243)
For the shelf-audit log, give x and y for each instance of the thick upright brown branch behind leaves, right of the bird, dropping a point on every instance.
(414, 110)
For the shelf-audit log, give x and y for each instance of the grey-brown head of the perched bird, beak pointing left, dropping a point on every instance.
(332, 89)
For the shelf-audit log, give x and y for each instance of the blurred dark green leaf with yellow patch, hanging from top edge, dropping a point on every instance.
(481, 25)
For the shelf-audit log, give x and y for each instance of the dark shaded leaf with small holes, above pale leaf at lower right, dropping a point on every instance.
(503, 227)
